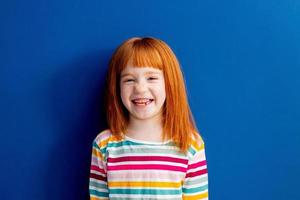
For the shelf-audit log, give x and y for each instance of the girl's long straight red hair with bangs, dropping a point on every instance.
(178, 122)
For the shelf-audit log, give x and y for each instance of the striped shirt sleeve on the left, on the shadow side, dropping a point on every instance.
(98, 177)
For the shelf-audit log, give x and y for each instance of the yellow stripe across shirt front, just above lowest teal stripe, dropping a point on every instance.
(145, 184)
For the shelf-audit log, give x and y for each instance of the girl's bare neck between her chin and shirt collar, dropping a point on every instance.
(146, 129)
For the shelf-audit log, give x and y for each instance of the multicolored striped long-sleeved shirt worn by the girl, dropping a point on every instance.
(133, 169)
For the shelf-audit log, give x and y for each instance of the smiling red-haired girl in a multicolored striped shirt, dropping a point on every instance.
(152, 149)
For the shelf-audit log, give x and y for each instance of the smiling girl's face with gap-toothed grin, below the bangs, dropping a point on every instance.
(143, 92)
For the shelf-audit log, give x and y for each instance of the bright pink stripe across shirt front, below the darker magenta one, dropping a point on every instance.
(143, 167)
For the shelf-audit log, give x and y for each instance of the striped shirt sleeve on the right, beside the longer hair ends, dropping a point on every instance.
(195, 184)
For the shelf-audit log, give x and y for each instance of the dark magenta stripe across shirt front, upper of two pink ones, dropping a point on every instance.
(148, 158)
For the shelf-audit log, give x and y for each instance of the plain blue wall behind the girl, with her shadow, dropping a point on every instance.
(241, 61)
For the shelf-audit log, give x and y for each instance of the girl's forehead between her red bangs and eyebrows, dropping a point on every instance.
(145, 70)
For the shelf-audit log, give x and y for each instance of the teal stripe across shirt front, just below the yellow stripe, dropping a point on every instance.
(145, 191)
